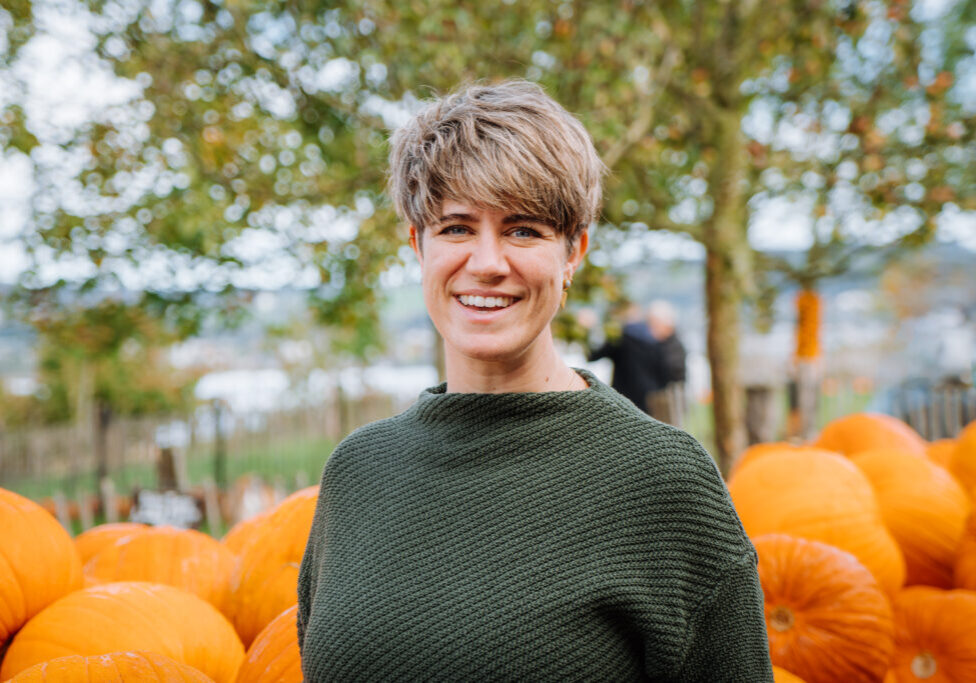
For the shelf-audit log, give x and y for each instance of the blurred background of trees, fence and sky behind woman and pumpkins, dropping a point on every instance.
(204, 287)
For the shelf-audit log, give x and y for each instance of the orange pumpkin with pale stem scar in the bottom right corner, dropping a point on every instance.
(935, 636)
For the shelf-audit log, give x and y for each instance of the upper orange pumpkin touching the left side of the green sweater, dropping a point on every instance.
(265, 582)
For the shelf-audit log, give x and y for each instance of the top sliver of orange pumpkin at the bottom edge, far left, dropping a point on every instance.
(115, 667)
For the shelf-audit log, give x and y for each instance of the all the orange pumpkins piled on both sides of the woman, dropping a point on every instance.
(867, 557)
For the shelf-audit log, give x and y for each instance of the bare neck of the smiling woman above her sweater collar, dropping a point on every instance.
(539, 369)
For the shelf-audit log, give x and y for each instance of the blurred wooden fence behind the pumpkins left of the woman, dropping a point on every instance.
(40, 460)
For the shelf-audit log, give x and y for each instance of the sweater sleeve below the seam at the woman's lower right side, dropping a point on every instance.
(726, 640)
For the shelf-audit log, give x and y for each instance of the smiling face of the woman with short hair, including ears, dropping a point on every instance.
(493, 281)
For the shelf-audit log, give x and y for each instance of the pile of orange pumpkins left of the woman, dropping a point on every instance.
(136, 603)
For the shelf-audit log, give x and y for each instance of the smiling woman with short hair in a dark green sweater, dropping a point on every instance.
(522, 521)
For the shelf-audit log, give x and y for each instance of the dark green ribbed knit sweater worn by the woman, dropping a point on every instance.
(560, 536)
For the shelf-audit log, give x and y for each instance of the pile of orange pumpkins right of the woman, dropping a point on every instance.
(867, 551)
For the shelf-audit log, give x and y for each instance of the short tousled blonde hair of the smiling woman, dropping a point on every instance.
(507, 146)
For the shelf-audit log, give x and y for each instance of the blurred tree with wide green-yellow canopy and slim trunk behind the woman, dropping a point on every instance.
(261, 121)
